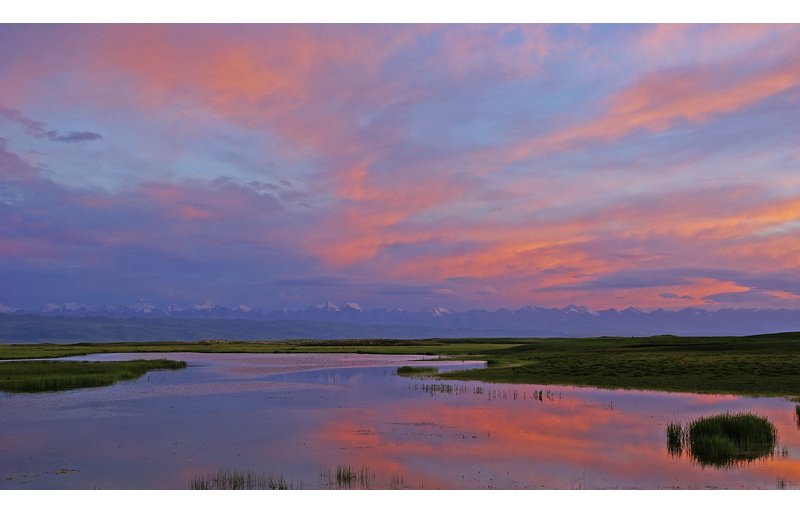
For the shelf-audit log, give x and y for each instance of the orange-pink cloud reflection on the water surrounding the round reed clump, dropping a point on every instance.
(569, 442)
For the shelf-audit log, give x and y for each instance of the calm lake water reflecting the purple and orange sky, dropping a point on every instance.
(295, 415)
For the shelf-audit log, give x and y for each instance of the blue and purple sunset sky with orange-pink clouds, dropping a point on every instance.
(465, 166)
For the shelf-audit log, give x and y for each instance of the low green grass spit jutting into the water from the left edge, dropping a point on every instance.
(50, 376)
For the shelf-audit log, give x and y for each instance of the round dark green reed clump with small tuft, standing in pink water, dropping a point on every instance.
(723, 441)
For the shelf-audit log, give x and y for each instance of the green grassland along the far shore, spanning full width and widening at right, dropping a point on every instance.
(759, 365)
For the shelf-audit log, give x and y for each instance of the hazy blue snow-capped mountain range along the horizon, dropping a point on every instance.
(571, 320)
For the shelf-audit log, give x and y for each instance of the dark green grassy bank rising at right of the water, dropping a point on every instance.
(756, 365)
